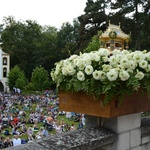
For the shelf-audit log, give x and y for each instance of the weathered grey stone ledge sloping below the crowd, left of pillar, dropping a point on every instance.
(82, 139)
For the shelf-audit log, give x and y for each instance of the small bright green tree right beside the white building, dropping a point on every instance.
(16, 78)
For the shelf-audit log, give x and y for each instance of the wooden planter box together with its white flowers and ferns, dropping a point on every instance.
(106, 79)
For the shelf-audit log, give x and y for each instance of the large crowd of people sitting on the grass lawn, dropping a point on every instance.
(34, 116)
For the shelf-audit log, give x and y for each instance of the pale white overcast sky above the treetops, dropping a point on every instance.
(45, 12)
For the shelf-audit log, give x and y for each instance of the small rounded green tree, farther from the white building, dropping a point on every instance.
(39, 79)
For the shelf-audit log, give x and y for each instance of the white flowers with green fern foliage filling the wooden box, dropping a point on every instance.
(106, 73)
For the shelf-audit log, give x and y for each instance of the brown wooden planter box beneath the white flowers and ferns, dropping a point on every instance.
(79, 102)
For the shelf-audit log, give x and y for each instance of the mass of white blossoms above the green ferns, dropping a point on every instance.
(103, 65)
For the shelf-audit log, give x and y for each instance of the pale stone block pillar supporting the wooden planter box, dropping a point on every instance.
(128, 129)
